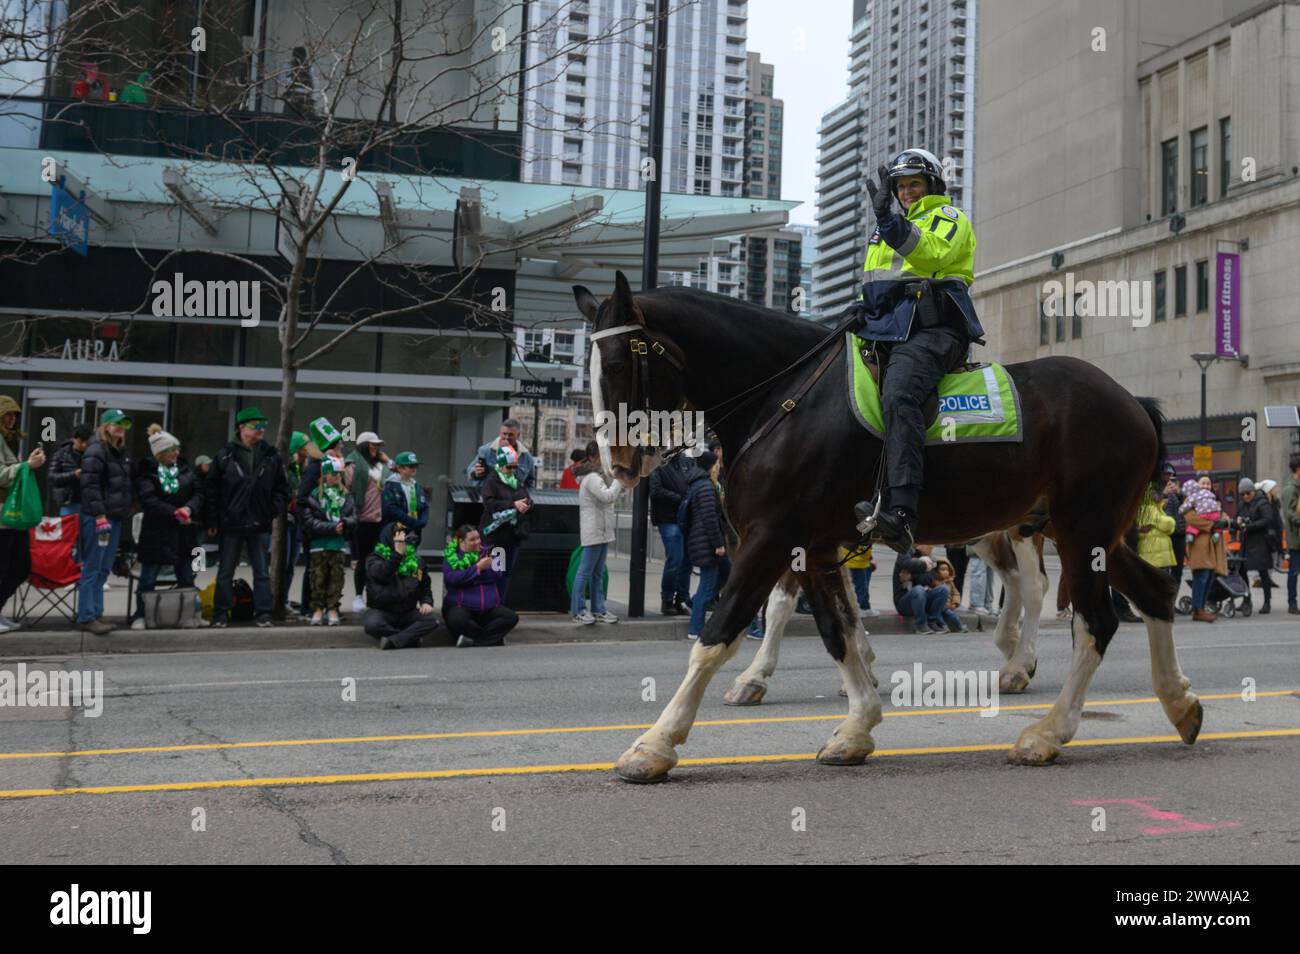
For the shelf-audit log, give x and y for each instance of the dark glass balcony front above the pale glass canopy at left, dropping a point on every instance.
(248, 137)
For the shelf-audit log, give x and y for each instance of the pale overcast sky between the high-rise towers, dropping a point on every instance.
(808, 42)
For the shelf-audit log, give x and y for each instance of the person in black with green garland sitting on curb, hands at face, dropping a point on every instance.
(398, 593)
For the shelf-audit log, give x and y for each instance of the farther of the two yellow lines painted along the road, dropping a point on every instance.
(564, 730)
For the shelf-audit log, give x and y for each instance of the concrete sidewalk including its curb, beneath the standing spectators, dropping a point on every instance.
(58, 638)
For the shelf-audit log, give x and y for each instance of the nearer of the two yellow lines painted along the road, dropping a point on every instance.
(583, 767)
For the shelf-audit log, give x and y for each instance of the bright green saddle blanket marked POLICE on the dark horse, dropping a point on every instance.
(980, 405)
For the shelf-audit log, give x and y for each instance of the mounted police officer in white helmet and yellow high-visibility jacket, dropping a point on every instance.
(917, 307)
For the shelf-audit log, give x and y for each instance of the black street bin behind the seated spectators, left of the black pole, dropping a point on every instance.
(538, 580)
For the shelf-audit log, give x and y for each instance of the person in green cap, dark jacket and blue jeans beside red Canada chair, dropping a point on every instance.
(107, 495)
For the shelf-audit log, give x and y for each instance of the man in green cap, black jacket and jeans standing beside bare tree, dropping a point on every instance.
(248, 489)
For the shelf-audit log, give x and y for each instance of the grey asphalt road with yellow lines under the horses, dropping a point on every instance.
(265, 751)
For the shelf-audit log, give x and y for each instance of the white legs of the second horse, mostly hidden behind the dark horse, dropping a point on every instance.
(1016, 558)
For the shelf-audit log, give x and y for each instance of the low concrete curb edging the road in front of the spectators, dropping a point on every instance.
(532, 630)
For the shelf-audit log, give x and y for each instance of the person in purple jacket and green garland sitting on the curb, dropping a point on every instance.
(471, 602)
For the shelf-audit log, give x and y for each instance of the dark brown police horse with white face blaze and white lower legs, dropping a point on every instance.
(1090, 454)
